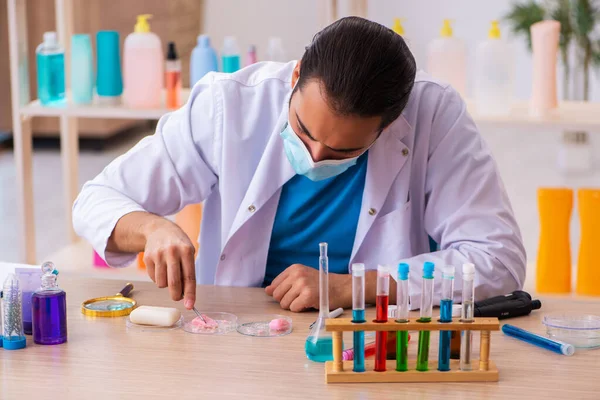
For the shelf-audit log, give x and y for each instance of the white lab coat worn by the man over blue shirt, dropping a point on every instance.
(429, 174)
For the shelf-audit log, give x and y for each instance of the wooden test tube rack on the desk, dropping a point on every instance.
(484, 370)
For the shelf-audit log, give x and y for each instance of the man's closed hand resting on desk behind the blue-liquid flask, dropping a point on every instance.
(297, 289)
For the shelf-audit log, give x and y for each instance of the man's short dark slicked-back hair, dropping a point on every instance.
(365, 68)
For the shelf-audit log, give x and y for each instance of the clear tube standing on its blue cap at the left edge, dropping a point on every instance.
(13, 337)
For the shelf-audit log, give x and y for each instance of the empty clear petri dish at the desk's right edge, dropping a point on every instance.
(580, 330)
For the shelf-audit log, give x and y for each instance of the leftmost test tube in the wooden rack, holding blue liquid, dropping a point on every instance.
(358, 315)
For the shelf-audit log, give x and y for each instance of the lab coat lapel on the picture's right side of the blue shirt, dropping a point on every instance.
(386, 158)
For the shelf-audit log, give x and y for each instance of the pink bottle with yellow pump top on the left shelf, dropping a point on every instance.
(143, 67)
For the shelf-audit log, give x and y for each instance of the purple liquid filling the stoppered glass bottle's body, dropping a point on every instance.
(50, 316)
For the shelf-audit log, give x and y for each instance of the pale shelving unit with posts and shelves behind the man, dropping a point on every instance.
(585, 116)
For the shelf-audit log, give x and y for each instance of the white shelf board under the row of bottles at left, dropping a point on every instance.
(36, 109)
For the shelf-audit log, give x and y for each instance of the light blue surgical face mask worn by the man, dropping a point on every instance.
(302, 162)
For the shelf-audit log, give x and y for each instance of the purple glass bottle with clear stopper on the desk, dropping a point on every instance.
(49, 309)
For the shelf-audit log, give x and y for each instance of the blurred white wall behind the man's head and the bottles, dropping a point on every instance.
(296, 21)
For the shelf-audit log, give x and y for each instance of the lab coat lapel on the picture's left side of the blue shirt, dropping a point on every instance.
(273, 171)
